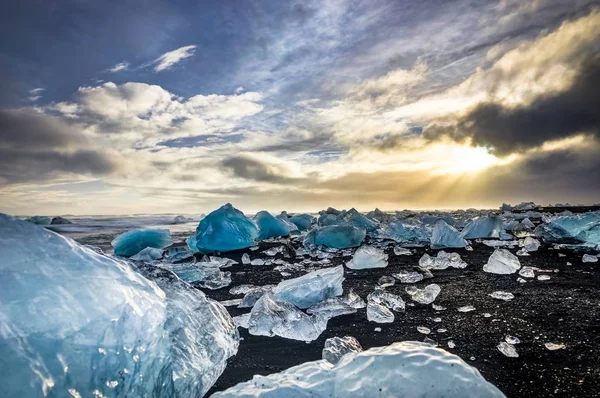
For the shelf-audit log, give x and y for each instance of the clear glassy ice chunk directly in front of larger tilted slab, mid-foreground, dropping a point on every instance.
(270, 317)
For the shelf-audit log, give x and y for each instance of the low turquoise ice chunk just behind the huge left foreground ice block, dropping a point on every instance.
(132, 242)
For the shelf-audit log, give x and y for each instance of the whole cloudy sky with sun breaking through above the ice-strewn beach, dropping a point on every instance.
(121, 107)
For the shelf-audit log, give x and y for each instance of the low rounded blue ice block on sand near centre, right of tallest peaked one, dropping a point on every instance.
(335, 236)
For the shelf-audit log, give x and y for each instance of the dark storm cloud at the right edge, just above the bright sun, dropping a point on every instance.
(549, 117)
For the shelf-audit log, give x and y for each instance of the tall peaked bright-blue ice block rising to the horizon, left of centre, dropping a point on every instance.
(223, 230)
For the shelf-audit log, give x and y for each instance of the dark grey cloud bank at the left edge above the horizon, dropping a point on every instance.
(35, 147)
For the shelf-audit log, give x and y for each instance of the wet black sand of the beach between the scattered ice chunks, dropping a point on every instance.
(565, 309)
